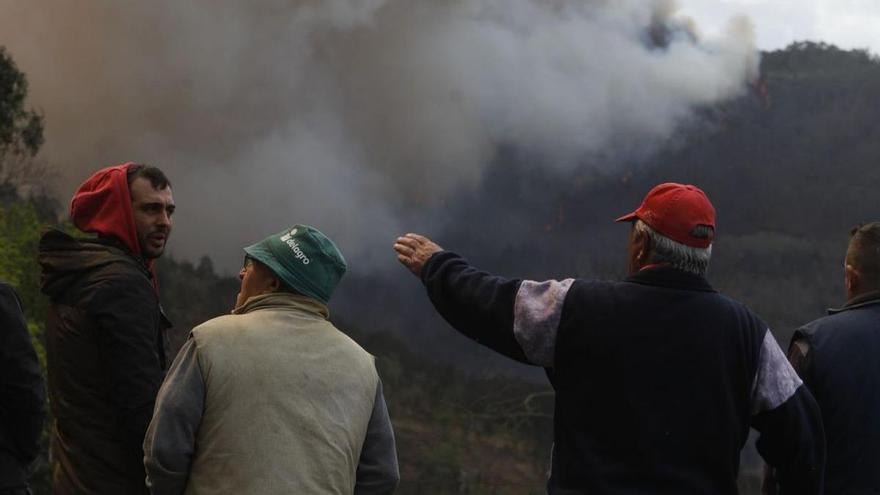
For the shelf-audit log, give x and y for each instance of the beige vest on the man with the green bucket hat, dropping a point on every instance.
(287, 401)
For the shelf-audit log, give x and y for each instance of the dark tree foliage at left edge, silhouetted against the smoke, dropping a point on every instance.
(21, 130)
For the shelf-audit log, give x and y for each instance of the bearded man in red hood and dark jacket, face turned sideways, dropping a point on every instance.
(105, 338)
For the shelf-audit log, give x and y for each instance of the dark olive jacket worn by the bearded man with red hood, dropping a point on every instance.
(106, 351)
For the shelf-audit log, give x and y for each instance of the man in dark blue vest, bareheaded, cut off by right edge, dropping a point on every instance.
(837, 357)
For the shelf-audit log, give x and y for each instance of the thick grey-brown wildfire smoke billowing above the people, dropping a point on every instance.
(353, 114)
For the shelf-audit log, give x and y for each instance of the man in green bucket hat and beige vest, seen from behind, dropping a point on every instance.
(273, 398)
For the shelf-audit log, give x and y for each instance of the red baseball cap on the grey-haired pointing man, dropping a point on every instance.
(674, 210)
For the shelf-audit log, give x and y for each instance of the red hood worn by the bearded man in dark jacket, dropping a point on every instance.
(102, 205)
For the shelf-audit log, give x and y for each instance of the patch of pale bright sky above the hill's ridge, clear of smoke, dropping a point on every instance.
(845, 23)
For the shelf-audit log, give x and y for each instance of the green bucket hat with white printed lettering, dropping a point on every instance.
(303, 258)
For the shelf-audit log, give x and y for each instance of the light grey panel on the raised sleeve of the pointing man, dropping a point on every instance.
(537, 313)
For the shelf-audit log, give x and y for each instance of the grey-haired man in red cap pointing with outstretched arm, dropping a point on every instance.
(658, 377)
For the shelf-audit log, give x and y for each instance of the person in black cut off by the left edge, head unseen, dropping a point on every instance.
(22, 398)
